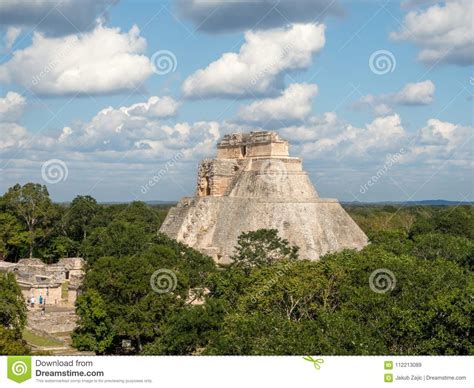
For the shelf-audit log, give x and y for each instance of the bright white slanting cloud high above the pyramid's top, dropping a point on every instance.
(259, 66)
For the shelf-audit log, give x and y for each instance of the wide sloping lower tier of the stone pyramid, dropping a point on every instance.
(213, 224)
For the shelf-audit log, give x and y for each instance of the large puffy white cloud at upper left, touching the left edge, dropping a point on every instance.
(81, 63)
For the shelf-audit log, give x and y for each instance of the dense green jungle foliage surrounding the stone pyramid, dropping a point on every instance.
(408, 292)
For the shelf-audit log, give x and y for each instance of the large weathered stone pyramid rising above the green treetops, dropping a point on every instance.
(252, 184)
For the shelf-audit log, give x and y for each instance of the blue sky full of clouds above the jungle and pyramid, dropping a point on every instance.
(100, 97)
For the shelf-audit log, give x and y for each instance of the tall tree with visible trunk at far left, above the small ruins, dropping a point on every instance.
(30, 203)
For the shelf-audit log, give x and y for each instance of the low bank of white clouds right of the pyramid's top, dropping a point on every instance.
(329, 139)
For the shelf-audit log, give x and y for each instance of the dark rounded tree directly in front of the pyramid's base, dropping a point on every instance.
(262, 247)
